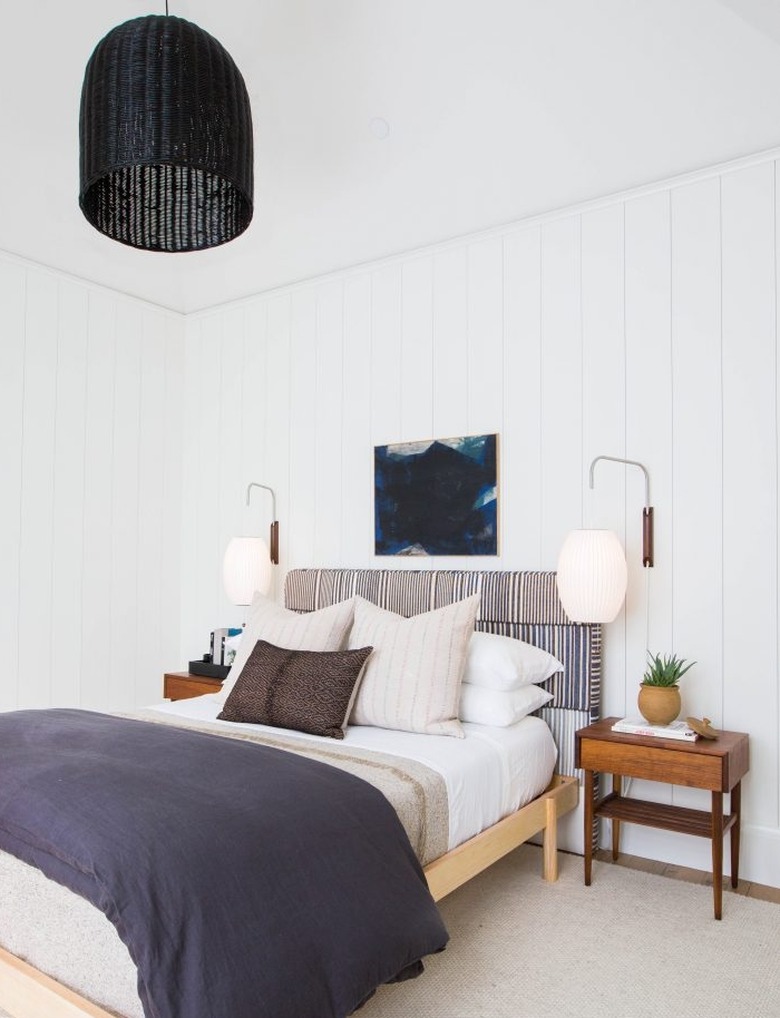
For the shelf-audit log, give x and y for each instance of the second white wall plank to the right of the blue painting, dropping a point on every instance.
(562, 409)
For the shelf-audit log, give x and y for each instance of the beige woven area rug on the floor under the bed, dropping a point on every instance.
(632, 945)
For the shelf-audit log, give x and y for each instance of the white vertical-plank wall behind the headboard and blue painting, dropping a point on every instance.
(644, 326)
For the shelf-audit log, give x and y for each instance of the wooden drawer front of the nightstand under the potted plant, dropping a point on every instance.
(654, 764)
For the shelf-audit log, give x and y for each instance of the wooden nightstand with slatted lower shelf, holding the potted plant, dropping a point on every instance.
(718, 766)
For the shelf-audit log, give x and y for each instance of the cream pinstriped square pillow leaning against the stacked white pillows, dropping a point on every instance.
(412, 683)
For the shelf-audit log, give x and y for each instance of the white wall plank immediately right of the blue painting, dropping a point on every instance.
(521, 438)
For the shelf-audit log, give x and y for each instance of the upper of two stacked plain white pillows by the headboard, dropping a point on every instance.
(507, 664)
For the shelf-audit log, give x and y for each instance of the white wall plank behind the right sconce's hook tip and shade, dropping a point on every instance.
(604, 410)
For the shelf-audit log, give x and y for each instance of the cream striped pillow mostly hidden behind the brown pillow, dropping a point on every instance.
(325, 630)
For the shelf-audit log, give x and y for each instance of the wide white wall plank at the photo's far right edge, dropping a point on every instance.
(750, 481)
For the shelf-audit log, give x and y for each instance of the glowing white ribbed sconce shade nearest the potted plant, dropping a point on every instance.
(592, 576)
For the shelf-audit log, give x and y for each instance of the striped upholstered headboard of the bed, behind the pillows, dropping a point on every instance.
(523, 605)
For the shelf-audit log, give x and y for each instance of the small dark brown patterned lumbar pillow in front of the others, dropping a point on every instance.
(307, 691)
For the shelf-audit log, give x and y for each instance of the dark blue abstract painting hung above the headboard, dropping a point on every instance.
(438, 497)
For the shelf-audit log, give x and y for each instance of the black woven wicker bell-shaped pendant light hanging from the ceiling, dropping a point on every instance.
(166, 147)
